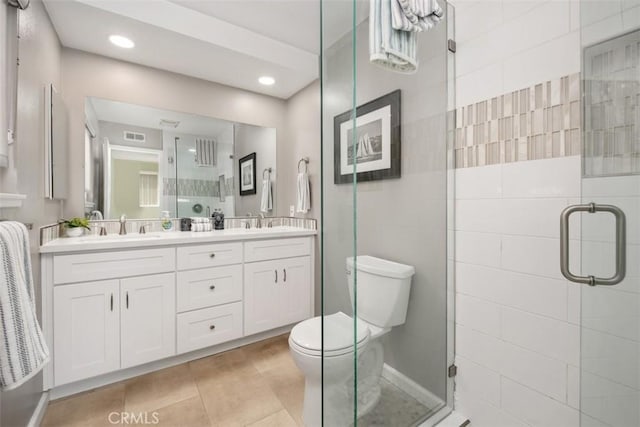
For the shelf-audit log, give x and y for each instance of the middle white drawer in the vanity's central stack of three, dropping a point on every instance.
(209, 287)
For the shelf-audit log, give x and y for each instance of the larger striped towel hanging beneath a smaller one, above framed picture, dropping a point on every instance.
(388, 47)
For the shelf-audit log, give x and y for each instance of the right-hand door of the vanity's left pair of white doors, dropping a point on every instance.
(148, 318)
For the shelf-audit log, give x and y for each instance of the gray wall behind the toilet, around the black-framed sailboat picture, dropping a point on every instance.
(404, 219)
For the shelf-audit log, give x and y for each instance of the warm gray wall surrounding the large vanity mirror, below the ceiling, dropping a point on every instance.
(85, 74)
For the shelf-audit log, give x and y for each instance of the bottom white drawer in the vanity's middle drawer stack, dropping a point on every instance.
(209, 326)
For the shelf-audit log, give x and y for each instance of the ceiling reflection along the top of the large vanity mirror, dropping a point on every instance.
(148, 117)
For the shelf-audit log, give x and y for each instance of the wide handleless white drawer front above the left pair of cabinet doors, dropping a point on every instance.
(110, 265)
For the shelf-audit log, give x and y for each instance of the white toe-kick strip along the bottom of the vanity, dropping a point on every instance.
(113, 377)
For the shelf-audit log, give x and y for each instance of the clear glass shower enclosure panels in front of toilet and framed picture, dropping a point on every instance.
(387, 328)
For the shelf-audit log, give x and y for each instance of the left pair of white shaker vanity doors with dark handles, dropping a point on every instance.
(100, 327)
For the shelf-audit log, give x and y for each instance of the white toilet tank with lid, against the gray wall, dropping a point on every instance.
(382, 290)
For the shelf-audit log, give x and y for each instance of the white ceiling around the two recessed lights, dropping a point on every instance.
(232, 42)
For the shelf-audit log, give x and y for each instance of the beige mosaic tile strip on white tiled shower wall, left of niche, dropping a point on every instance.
(538, 122)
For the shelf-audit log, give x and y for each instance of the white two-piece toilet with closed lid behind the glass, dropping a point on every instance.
(383, 297)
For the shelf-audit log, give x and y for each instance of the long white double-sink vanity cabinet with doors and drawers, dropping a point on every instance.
(114, 309)
